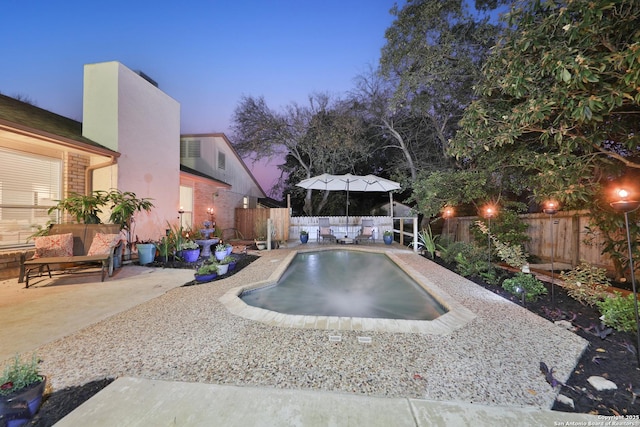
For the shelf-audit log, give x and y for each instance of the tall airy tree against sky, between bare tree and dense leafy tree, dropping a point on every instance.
(431, 61)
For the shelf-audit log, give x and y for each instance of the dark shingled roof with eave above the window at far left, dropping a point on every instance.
(35, 120)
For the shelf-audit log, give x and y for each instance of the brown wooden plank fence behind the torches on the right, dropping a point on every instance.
(569, 235)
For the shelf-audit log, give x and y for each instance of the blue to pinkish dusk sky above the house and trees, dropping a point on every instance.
(205, 54)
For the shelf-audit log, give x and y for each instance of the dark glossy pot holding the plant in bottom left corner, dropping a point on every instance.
(18, 408)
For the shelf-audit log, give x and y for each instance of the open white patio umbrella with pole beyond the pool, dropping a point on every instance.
(349, 182)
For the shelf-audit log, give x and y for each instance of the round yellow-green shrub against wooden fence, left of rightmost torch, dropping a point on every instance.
(586, 284)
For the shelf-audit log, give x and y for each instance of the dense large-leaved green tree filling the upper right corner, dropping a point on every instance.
(562, 90)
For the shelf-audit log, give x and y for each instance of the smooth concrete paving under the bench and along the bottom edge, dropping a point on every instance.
(54, 310)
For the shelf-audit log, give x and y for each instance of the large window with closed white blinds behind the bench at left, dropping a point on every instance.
(29, 184)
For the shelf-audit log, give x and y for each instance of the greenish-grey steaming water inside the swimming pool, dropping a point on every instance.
(346, 283)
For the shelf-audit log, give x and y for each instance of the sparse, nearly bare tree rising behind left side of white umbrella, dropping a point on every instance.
(322, 137)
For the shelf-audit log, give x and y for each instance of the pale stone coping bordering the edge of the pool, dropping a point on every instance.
(455, 318)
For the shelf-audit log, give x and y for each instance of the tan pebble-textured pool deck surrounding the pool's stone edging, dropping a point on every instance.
(188, 335)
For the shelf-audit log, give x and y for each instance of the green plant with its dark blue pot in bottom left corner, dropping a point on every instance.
(21, 391)
